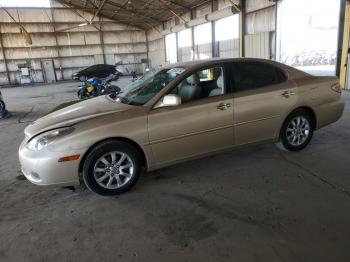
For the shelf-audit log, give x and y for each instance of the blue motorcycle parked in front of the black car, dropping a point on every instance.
(95, 87)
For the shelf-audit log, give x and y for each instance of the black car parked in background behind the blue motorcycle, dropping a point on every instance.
(100, 71)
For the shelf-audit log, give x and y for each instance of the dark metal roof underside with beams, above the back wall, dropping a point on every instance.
(144, 14)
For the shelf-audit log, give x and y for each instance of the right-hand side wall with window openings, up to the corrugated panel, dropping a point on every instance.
(259, 28)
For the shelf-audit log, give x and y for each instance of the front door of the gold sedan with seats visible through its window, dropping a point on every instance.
(197, 126)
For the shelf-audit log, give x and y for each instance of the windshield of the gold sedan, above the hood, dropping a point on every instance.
(147, 86)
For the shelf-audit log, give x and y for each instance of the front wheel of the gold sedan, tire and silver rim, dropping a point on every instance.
(107, 176)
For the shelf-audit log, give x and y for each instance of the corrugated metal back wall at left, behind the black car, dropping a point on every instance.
(69, 50)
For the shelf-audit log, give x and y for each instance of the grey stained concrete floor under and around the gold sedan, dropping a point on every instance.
(255, 204)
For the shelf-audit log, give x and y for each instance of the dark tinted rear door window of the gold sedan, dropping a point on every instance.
(251, 75)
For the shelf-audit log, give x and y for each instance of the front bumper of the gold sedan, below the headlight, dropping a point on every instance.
(42, 167)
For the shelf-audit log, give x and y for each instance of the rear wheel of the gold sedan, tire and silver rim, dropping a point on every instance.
(297, 130)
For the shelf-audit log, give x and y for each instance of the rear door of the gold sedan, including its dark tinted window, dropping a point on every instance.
(262, 97)
